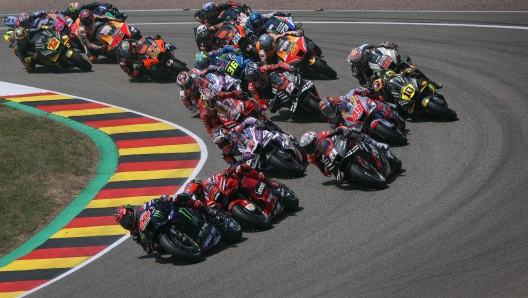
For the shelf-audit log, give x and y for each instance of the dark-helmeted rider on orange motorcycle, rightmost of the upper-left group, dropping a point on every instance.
(127, 55)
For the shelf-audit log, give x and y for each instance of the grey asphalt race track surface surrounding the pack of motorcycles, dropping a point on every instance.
(452, 224)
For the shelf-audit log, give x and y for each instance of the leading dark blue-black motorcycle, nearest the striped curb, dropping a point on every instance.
(185, 233)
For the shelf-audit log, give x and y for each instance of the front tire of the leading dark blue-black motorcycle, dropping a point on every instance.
(187, 251)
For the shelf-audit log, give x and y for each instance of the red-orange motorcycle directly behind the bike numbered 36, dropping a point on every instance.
(236, 35)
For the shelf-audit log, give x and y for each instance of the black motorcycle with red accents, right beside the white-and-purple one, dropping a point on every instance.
(360, 161)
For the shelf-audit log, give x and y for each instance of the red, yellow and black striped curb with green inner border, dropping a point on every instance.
(141, 158)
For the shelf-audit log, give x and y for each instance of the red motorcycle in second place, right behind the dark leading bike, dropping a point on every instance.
(251, 201)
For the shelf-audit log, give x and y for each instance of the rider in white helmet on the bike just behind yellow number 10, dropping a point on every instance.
(359, 57)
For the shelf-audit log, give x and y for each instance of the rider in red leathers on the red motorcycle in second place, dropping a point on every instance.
(240, 173)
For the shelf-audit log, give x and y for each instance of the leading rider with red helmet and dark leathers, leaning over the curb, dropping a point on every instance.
(193, 196)
